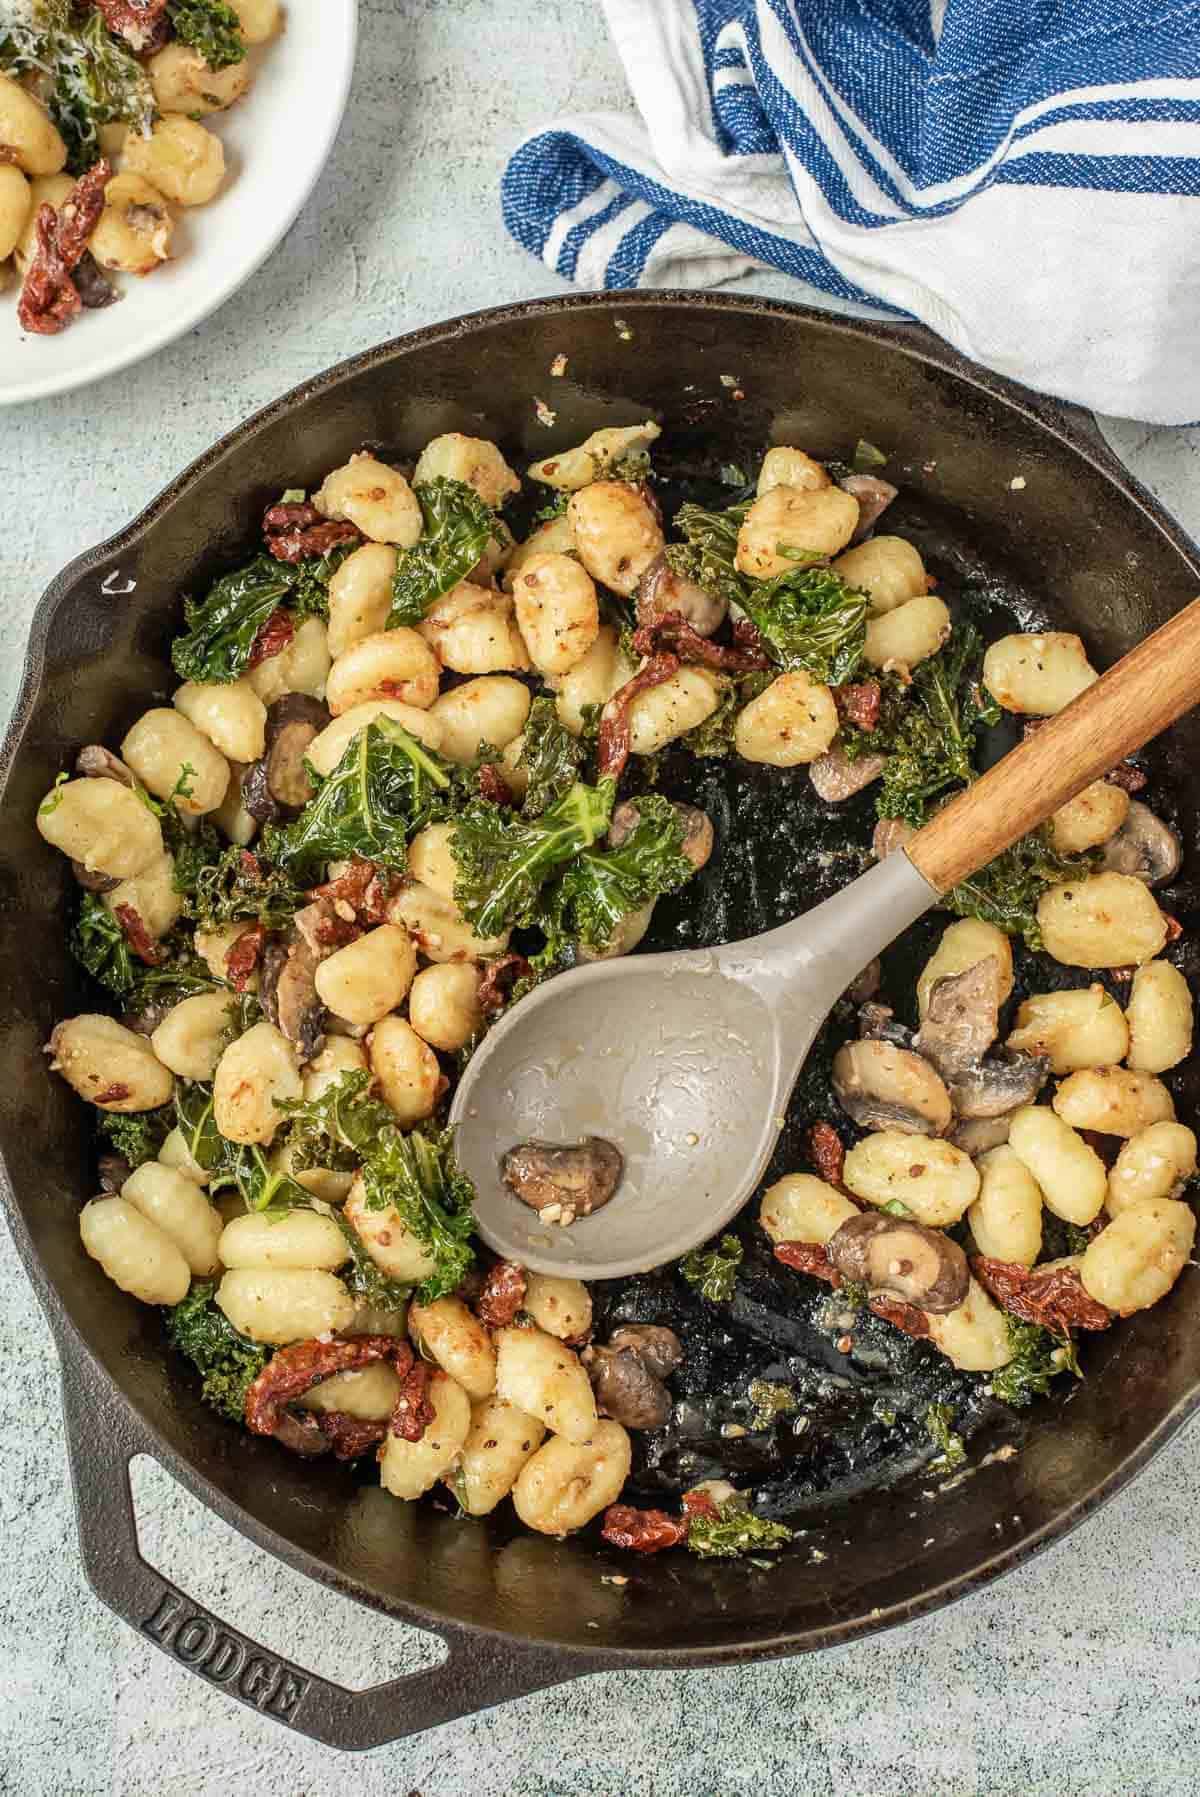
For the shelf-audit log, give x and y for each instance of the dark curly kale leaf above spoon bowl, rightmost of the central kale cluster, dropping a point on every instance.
(601, 887)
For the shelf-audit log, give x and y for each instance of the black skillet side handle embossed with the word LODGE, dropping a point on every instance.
(479, 1672)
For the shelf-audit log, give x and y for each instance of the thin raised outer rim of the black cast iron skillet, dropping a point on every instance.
(1072, 429)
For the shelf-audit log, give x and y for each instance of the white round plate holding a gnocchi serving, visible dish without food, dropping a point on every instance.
(276, 146)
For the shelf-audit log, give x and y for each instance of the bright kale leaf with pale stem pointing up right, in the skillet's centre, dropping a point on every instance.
(506, 860)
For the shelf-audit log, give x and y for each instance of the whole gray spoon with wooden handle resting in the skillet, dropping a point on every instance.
(687, 1061)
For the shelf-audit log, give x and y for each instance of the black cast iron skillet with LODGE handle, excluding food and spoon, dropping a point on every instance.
(522, 1613)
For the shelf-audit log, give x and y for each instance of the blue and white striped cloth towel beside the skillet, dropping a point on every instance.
(1019, 175)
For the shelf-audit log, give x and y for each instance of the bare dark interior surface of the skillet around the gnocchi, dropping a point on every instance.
(1068, 549)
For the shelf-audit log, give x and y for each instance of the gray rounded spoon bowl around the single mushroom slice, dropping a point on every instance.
(671, 1059)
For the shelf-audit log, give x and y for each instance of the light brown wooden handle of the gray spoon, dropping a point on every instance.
(1129, 705)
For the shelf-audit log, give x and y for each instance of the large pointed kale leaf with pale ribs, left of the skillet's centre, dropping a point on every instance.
(385, 788)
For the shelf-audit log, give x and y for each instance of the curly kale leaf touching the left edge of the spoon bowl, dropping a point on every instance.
(419, 1176)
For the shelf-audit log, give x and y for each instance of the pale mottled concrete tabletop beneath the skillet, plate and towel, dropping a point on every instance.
(1075, 1677)
